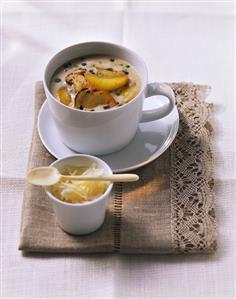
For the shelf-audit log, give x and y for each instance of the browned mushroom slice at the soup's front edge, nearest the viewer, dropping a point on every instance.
(90, 99)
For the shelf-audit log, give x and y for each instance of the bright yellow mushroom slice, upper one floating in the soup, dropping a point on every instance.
(107, 80)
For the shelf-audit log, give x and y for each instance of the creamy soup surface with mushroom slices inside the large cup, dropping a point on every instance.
(95, 83)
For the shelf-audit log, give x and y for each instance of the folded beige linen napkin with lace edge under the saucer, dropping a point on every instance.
(170, 210)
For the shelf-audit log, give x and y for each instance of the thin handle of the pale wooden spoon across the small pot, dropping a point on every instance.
(127, 177)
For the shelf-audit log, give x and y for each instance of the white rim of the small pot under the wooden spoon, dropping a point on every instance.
(109, 188)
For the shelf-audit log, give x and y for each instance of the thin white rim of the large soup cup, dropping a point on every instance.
(98, 42)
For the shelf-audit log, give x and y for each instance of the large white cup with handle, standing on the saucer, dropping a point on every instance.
(103, 132)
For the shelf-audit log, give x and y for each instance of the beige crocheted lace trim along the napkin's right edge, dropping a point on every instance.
(192, 199)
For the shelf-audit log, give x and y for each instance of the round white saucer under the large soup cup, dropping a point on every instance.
(150, 141)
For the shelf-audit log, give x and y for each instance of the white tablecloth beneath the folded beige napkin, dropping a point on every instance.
(180, 42)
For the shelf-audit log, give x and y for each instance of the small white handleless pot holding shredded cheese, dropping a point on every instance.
(83, 218)
